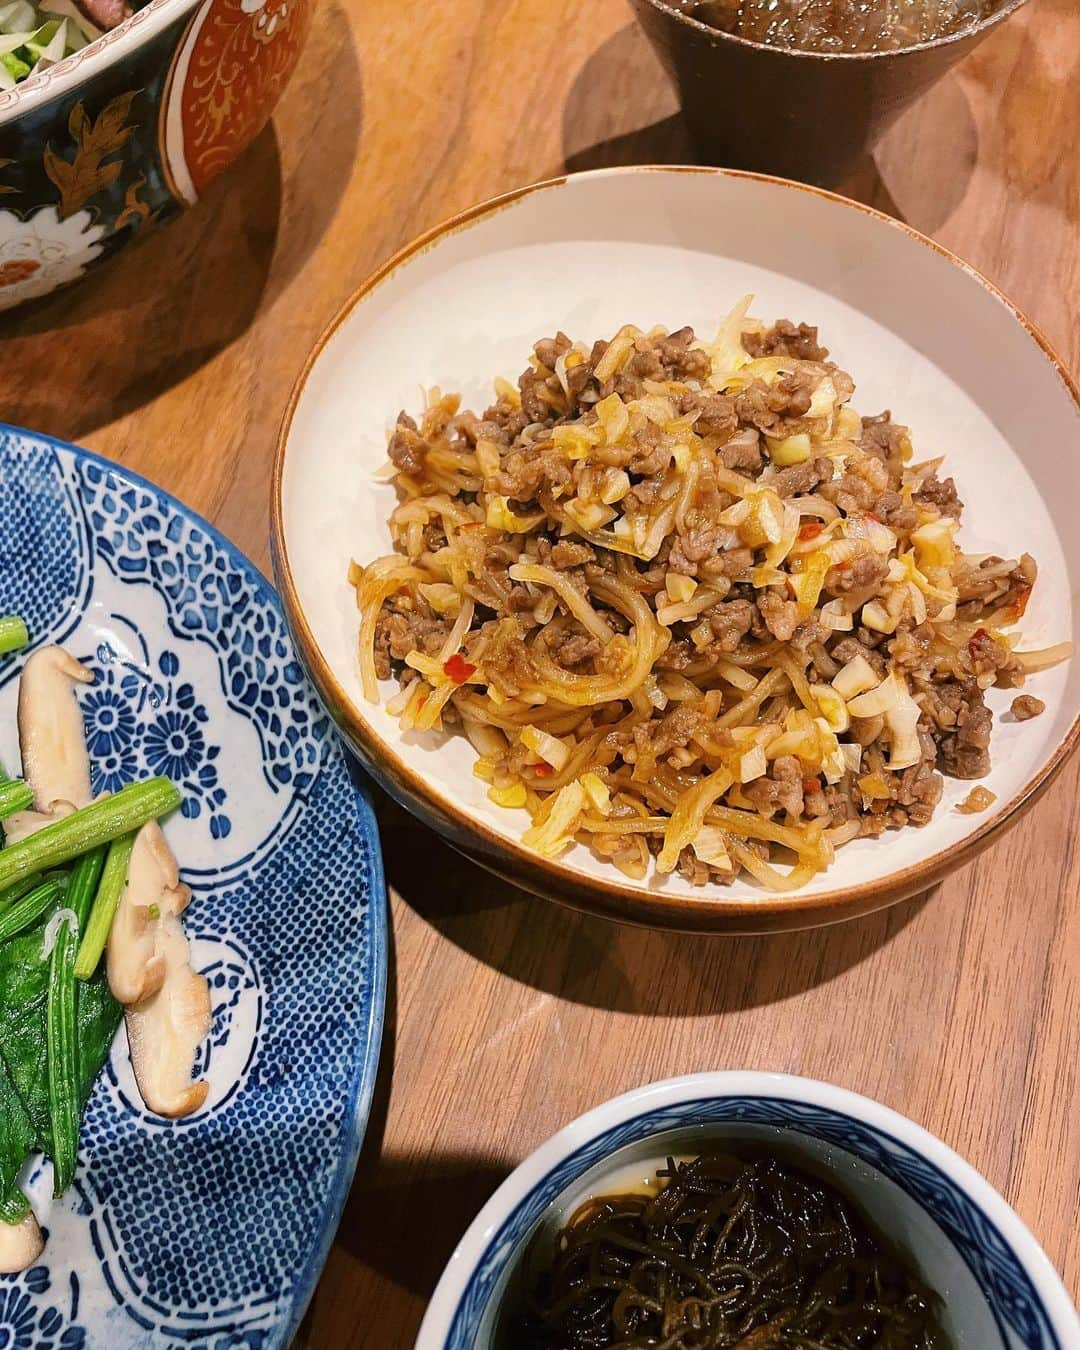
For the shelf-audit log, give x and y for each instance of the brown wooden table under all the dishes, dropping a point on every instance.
(507, 1016)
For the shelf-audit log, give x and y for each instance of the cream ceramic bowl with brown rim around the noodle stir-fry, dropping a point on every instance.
(921, 334)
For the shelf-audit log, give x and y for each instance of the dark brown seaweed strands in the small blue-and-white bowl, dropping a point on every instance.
(730, 1255)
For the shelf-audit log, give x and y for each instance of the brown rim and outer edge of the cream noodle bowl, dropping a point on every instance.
(614, 897)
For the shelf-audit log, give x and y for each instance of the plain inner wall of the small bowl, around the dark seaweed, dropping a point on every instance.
(966, 1317)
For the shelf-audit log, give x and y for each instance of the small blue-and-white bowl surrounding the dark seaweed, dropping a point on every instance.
(998, 1287)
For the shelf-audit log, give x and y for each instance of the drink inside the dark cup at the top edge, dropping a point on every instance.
(842, 25)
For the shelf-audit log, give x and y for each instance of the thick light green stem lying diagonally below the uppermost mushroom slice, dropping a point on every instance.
(86, 830)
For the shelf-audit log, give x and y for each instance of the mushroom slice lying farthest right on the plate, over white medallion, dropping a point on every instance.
(167, 1031)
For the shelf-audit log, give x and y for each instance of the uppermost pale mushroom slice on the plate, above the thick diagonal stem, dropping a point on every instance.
(52, 736)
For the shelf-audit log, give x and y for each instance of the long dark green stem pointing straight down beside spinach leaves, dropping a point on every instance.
(63, 1056)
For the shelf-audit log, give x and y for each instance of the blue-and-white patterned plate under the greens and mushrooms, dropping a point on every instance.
(207, 1233)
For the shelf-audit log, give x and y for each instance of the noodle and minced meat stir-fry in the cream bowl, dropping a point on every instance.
(689, 605)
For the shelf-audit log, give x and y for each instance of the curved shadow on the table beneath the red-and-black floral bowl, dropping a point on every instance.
(172, 302)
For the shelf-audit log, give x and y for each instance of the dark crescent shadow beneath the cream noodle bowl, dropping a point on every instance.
(612, 966)
